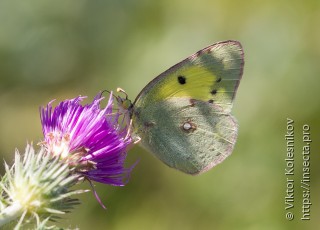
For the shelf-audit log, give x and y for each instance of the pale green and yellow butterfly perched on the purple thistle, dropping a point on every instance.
(183, 115)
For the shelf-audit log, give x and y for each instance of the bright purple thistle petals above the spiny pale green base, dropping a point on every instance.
(88, 138)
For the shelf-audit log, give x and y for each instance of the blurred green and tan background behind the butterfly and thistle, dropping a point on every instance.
(60, 49)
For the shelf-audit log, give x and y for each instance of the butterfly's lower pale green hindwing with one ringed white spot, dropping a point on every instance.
(191, 136)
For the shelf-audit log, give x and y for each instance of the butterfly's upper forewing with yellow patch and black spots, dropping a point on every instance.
(212, 74)
